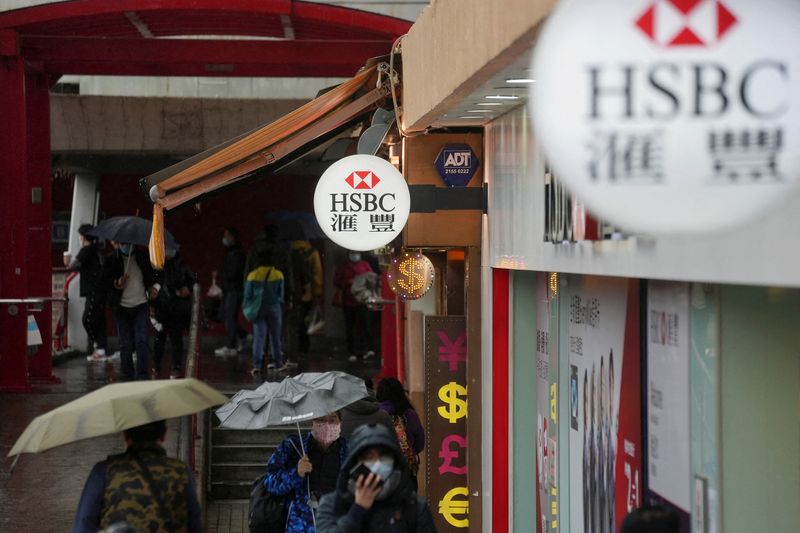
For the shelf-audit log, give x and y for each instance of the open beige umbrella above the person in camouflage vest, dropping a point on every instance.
(115, 408)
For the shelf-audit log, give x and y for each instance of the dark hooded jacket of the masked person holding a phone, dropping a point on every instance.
(401, 511)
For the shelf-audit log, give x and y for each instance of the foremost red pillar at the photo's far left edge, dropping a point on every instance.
(15, 199)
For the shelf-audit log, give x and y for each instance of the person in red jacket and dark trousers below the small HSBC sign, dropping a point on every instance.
(356, 320)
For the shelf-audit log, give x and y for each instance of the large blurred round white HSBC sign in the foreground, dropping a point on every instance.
(671, 116)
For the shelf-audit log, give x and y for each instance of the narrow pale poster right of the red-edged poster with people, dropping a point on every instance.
(668, 462)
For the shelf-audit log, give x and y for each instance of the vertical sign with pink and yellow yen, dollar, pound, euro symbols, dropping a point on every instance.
(446, 416)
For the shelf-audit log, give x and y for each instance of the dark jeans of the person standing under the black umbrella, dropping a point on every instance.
(132, 327)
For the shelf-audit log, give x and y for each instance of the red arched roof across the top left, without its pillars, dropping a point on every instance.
(149, 37)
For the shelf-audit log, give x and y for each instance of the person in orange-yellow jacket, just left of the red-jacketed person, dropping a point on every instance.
(307, 295)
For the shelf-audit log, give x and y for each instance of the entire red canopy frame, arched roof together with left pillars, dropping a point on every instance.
(230, 38)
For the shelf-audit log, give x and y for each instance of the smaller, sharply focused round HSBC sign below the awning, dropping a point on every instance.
(362, 202)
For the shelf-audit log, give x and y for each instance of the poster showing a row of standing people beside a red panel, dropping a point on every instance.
(605, 371)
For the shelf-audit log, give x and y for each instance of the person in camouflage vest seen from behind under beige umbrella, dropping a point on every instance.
(142, 488)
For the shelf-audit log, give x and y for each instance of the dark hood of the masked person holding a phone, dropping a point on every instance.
(363, 438)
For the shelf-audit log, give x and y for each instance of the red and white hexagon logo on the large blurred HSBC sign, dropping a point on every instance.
(686, 22)
